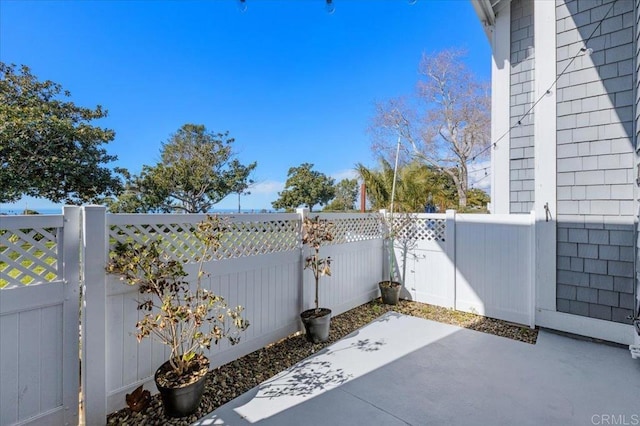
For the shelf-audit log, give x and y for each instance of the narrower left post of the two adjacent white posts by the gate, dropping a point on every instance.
(71, 275)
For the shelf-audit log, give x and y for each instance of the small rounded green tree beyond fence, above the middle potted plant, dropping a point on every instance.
(305, 187)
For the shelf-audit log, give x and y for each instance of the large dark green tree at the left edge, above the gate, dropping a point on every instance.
(48, 147)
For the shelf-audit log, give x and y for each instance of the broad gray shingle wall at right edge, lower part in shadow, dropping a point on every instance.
(596, 159)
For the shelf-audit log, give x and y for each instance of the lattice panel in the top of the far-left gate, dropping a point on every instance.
(28, 256)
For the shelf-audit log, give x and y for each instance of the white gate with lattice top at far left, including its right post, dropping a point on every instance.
(39, 314)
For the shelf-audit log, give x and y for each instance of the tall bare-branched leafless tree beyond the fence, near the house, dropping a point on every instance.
(447, 126)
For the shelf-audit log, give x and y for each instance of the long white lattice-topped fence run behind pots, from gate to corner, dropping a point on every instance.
(259, 267)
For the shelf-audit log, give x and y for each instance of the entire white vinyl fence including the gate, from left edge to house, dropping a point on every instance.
(476, 263)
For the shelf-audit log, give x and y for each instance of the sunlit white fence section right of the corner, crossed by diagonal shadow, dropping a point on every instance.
(471, 262)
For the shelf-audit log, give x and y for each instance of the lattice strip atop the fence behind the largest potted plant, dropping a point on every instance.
(245, 238)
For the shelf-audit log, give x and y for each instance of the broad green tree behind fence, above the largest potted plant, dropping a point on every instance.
(196, 171)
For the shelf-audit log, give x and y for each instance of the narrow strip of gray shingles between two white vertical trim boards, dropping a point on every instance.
(521, 160)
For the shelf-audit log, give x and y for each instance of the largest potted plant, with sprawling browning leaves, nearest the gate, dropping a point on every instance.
(186, 319)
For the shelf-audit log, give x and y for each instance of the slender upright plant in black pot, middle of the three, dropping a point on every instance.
(315, 232)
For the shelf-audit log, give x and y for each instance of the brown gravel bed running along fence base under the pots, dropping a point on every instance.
(232, 380)
